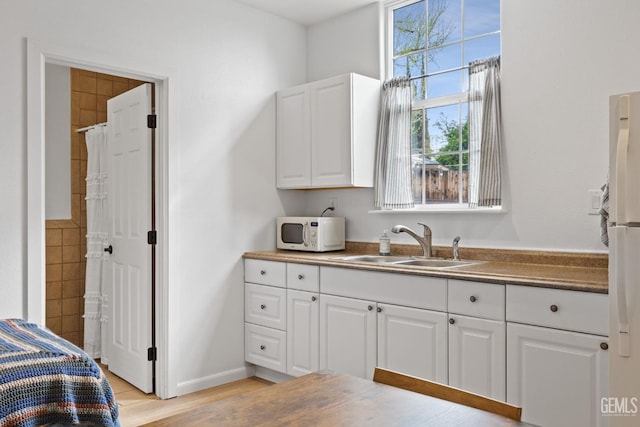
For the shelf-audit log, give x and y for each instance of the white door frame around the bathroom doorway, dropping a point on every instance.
(40, 53)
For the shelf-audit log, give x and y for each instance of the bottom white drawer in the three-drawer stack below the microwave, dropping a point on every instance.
(265, 347)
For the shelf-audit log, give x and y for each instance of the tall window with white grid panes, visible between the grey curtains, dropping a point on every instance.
(432, 42)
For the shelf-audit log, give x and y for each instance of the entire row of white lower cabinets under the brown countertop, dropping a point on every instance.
(542, 349)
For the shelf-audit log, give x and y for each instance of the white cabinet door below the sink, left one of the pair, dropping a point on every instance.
(347, 336)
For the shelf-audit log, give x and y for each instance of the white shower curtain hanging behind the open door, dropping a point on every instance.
(95, 316)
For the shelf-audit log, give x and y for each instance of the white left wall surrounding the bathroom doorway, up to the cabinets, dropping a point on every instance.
(229, 60)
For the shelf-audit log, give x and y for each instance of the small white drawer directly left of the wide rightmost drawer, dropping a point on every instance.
(476, 299)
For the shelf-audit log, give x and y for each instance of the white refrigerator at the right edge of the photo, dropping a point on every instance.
(623, 403)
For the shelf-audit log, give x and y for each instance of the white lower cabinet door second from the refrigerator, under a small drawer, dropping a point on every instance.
(477, 355)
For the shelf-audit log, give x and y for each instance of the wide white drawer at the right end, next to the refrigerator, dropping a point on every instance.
(557, 308)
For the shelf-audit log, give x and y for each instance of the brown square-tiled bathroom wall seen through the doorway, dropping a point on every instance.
(65, 239)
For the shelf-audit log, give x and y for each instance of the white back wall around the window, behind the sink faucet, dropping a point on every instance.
(560, 62)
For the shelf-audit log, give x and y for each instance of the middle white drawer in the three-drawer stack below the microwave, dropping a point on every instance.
(265, 305)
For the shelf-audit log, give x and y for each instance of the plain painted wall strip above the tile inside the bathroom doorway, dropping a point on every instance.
(58, 142)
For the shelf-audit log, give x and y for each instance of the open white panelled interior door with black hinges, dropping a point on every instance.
(130, 209)
